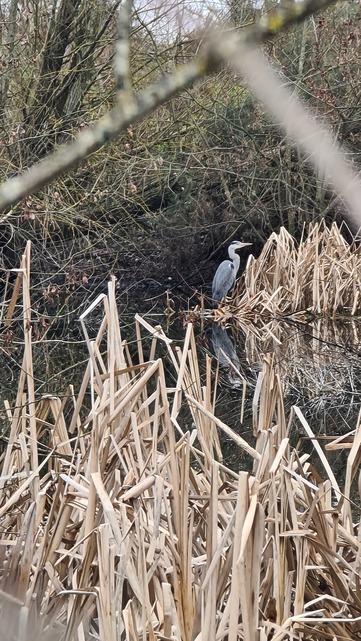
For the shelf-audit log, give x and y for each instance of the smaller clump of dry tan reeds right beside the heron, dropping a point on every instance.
(321, 276)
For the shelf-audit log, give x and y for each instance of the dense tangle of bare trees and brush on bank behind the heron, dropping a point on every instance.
(155, 206)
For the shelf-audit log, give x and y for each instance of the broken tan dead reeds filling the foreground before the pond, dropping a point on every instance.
(120, 520)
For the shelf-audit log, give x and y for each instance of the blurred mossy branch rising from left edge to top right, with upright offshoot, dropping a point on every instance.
(219, 49)
